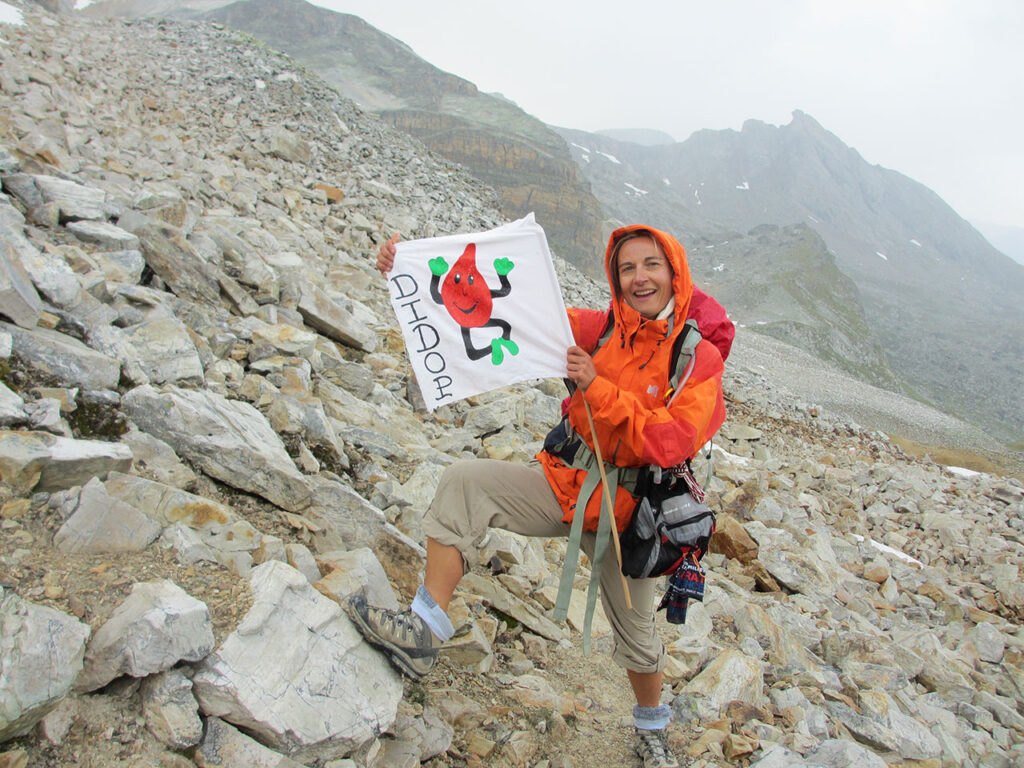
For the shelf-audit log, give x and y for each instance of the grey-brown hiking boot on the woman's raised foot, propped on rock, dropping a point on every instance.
(411, 644)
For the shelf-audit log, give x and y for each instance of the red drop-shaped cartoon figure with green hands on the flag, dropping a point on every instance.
(471, 302)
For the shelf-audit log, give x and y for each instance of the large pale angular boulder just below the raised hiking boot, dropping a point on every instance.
(327, 693)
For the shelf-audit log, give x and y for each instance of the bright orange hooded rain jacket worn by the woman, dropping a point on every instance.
(629, 398)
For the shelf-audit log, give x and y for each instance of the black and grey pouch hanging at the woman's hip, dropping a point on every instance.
(668, 527)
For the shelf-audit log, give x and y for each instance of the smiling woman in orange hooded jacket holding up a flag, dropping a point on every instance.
(637, 421)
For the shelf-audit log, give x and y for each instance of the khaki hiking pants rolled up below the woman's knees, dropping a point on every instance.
(479, 494)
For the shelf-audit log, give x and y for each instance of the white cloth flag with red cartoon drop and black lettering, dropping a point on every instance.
(480, 312)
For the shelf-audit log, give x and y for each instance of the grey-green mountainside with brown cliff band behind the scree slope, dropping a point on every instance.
(525, 160)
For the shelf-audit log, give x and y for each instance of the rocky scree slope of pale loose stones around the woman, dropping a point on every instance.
(210, 440)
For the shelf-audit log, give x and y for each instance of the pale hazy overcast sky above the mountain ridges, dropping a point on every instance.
(931, 89)
